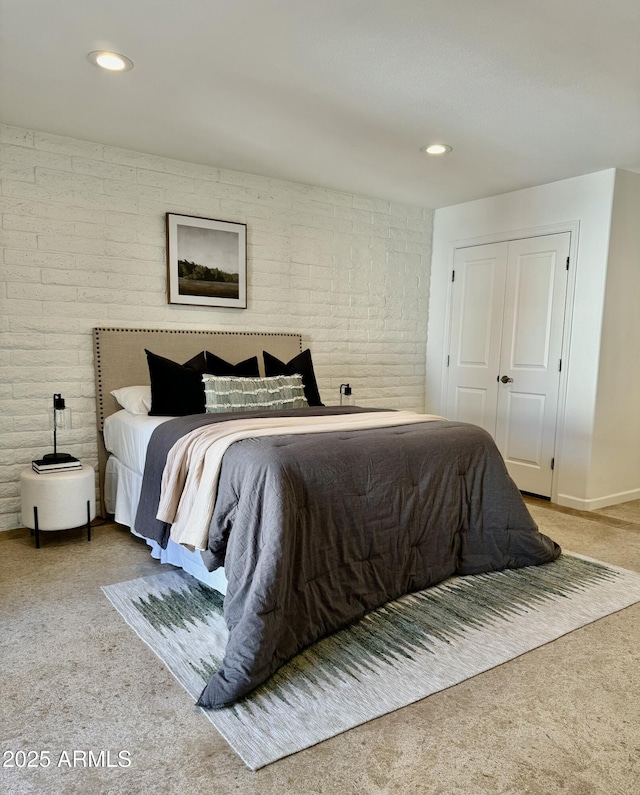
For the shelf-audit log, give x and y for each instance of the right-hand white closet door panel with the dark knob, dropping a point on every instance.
(530, 358)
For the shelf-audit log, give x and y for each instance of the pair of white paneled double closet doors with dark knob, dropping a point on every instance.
(505, 345)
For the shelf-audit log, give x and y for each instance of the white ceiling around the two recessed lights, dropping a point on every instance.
(340, 93)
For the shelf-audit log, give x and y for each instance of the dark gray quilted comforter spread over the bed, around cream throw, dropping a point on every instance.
(314, 531)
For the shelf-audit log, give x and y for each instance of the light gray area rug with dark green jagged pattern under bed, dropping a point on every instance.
(403, 652)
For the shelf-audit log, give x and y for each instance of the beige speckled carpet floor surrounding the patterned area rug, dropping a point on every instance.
(559, 720)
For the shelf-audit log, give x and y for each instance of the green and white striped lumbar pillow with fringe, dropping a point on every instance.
(231, 393)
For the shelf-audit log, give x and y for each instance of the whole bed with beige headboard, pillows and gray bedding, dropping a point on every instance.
(305, 516)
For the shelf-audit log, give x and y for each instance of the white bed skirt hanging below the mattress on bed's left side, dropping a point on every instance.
(122, 494)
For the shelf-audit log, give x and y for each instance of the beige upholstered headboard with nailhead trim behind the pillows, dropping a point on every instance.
(120, 360)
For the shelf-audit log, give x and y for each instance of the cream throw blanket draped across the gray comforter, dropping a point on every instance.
(190, 476)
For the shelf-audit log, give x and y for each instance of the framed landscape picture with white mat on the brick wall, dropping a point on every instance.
(206, 261)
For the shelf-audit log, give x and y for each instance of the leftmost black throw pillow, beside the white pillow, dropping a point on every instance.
(176, 389)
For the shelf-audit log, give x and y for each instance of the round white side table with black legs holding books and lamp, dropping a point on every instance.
(58, 500)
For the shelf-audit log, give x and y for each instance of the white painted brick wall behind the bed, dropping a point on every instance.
(83, 245)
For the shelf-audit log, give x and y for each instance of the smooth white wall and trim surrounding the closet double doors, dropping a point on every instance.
(582, 205)
